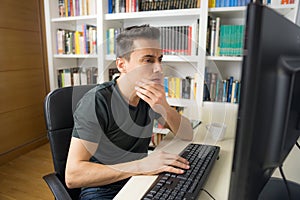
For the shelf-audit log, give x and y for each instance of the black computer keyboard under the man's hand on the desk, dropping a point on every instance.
(187, 185)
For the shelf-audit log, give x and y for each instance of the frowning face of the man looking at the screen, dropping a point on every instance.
(145, 61)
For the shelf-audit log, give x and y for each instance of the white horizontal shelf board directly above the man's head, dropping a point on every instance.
(179, 13)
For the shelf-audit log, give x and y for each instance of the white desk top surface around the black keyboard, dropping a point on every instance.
(218, 180)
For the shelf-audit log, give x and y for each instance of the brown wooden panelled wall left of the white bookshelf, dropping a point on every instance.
(23, 77)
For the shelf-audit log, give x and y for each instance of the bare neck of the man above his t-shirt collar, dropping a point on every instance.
(127, 90)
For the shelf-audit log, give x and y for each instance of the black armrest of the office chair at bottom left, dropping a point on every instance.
(56, 187)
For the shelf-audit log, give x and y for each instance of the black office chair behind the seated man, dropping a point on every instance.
(58, 110)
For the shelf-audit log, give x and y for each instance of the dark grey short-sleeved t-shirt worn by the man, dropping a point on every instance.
(122, 132)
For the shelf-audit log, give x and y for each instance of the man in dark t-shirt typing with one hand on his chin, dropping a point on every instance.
(113, 122)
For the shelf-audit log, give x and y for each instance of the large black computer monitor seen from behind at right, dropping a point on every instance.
(268, 123)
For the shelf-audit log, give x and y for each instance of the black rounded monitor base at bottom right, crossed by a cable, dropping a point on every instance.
(275, 189)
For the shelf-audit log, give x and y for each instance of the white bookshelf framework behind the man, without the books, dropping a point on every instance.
(183, 65)
